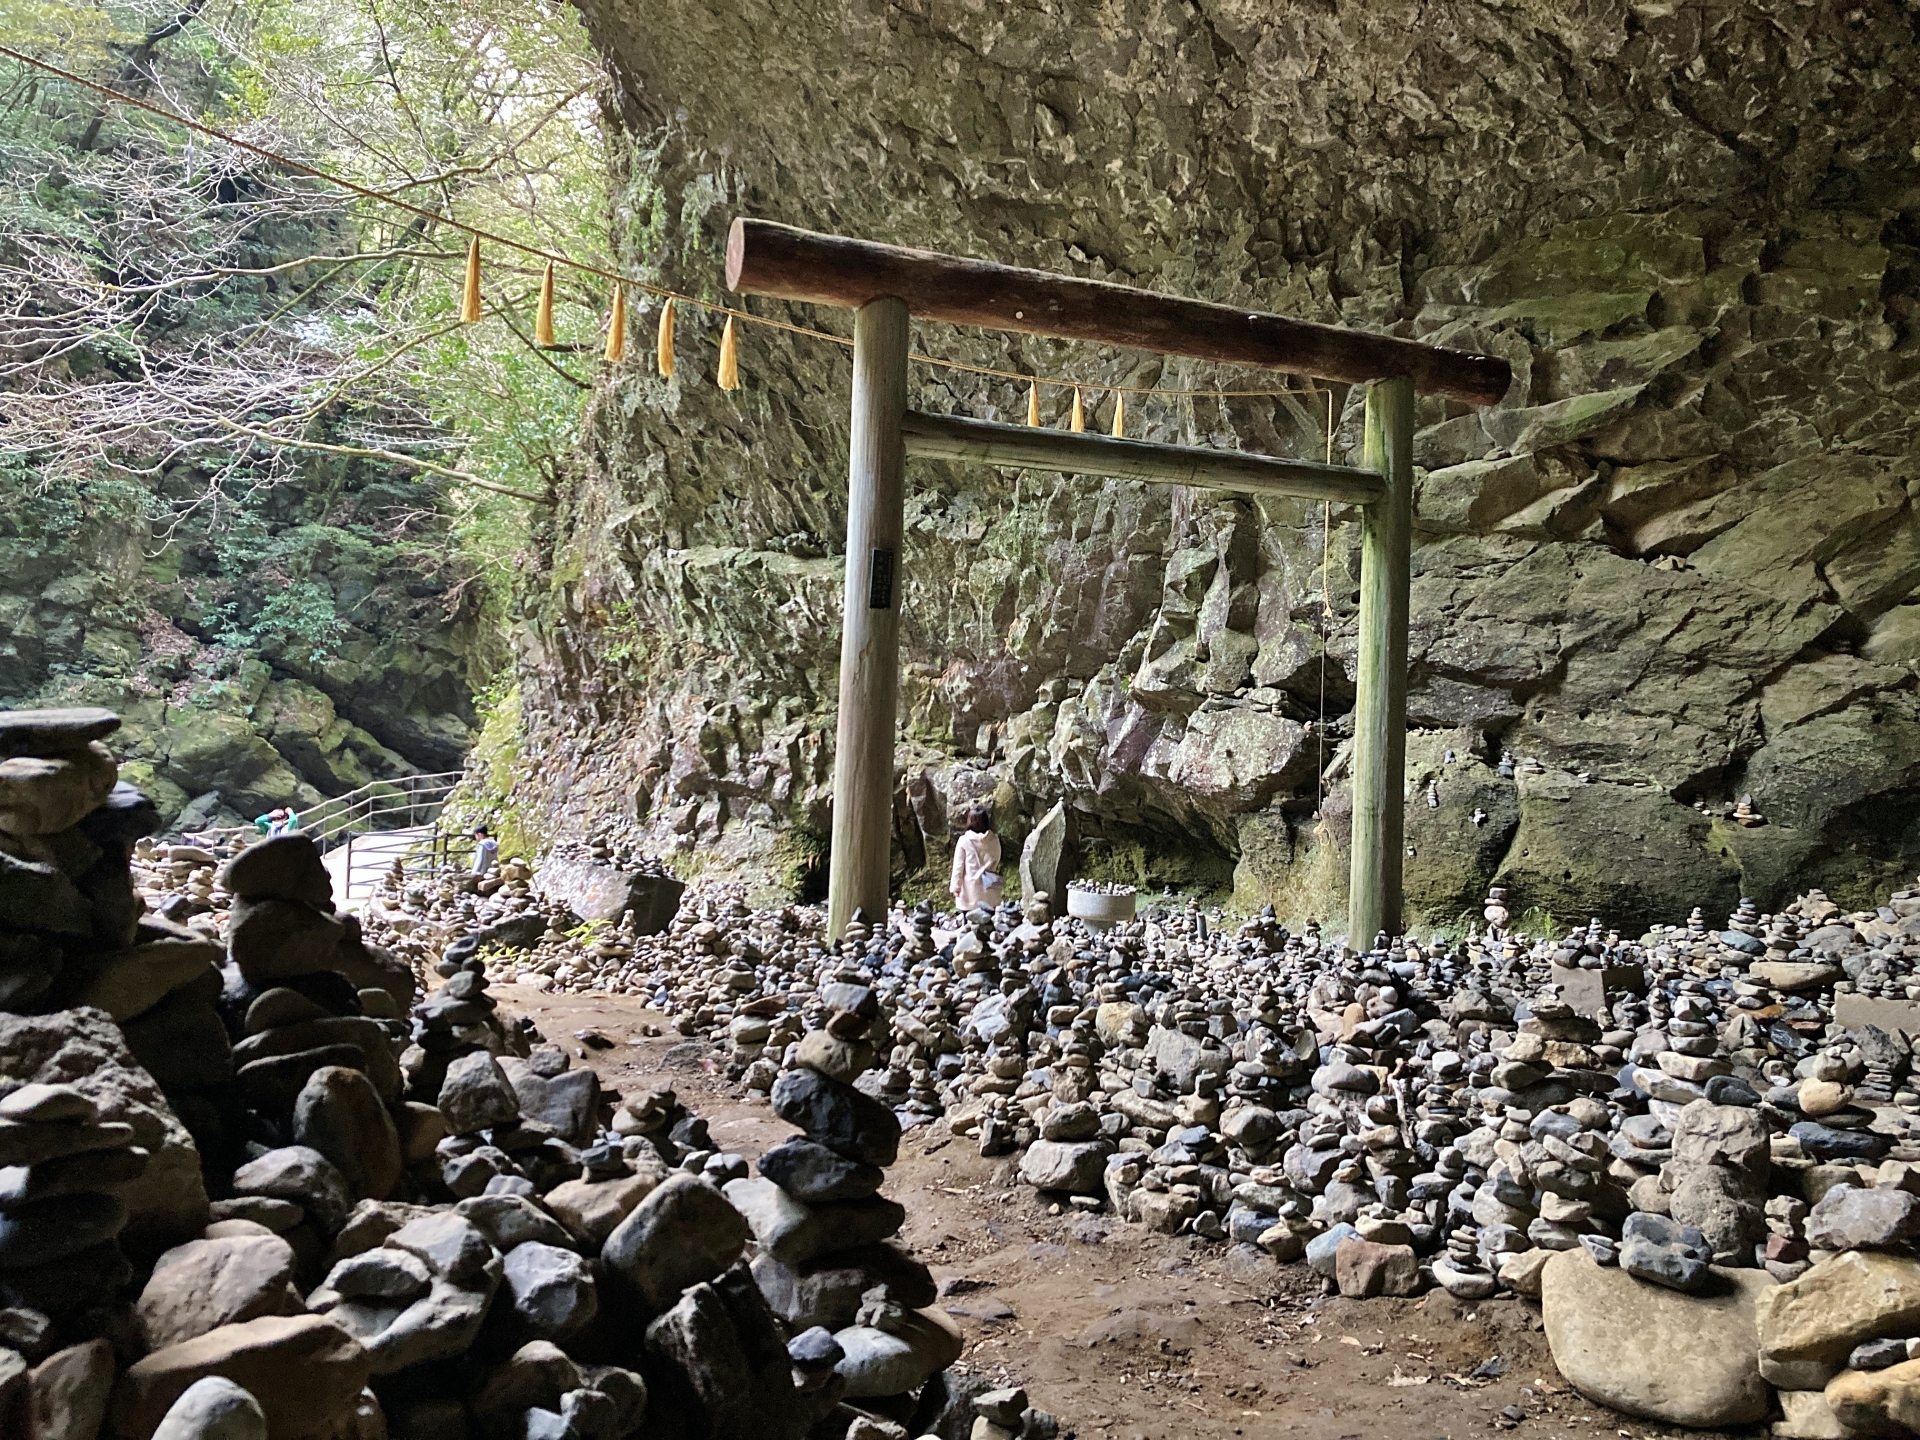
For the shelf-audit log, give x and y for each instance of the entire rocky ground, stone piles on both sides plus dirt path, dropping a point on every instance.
(709, 1172)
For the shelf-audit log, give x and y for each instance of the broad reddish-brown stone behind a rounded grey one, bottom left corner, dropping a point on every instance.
(304, 1374)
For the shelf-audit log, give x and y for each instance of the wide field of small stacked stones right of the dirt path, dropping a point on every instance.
(1702, 1134)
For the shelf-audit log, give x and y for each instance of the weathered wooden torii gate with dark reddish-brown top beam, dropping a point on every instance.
(888, 285)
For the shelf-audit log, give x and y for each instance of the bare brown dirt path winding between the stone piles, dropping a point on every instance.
(1130, 1335)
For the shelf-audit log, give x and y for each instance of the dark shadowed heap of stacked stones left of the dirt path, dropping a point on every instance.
(252, 1188)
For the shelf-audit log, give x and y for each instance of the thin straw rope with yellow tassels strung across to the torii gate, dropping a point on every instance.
(617, 347)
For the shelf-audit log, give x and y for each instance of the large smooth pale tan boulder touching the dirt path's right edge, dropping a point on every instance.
(1654, 1353)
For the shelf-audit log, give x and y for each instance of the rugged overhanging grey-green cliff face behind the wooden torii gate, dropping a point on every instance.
(1669, 569)
